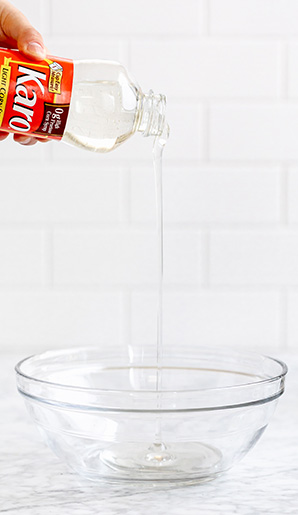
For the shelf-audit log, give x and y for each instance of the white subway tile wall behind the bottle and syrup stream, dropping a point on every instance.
(78, 248)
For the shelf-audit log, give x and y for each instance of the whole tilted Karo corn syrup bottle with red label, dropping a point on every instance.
(90, 104)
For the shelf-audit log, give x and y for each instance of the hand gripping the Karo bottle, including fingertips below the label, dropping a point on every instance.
(17, 32)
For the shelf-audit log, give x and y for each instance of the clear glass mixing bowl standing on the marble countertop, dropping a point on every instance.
(100, 412)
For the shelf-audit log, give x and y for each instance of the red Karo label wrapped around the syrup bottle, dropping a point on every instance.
(34, 96)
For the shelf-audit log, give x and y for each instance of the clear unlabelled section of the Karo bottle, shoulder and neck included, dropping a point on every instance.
(107, 107)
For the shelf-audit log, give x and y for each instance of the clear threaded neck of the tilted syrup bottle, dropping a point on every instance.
(151, 114)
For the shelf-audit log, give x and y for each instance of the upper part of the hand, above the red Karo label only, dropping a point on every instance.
(17, 29)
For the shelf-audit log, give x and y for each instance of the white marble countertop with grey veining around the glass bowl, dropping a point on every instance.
(34, 482)
